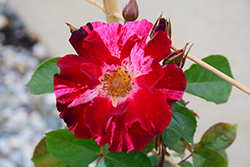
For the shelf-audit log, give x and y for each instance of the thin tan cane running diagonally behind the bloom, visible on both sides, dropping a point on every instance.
(191, 57)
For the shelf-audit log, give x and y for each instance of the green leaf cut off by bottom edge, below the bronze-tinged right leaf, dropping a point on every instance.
(204, 157)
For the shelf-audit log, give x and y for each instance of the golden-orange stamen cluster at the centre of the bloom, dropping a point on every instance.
(116, 83)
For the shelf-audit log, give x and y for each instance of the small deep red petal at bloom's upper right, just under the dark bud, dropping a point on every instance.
(159, 46)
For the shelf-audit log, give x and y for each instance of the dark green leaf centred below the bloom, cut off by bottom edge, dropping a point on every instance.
(130, 159)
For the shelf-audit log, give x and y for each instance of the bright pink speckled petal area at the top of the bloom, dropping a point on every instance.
(115, 36)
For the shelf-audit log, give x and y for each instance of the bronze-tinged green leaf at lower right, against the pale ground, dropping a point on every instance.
(219, 137)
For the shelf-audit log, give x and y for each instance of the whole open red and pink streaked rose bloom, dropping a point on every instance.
(115, 90)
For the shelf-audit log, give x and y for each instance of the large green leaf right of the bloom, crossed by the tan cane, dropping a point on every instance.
(203, 83)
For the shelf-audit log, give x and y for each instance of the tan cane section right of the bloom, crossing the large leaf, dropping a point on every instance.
(215, 71)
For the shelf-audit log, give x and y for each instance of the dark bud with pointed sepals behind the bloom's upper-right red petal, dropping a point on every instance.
(161, 24)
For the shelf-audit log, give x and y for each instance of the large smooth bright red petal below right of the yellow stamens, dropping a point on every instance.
(151, 110)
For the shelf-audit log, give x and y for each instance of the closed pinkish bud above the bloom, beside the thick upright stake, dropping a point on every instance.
(131, 11)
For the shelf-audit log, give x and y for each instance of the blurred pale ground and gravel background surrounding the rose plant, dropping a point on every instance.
(33, 30)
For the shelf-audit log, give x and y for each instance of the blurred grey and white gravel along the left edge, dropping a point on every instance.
(24, 118)
